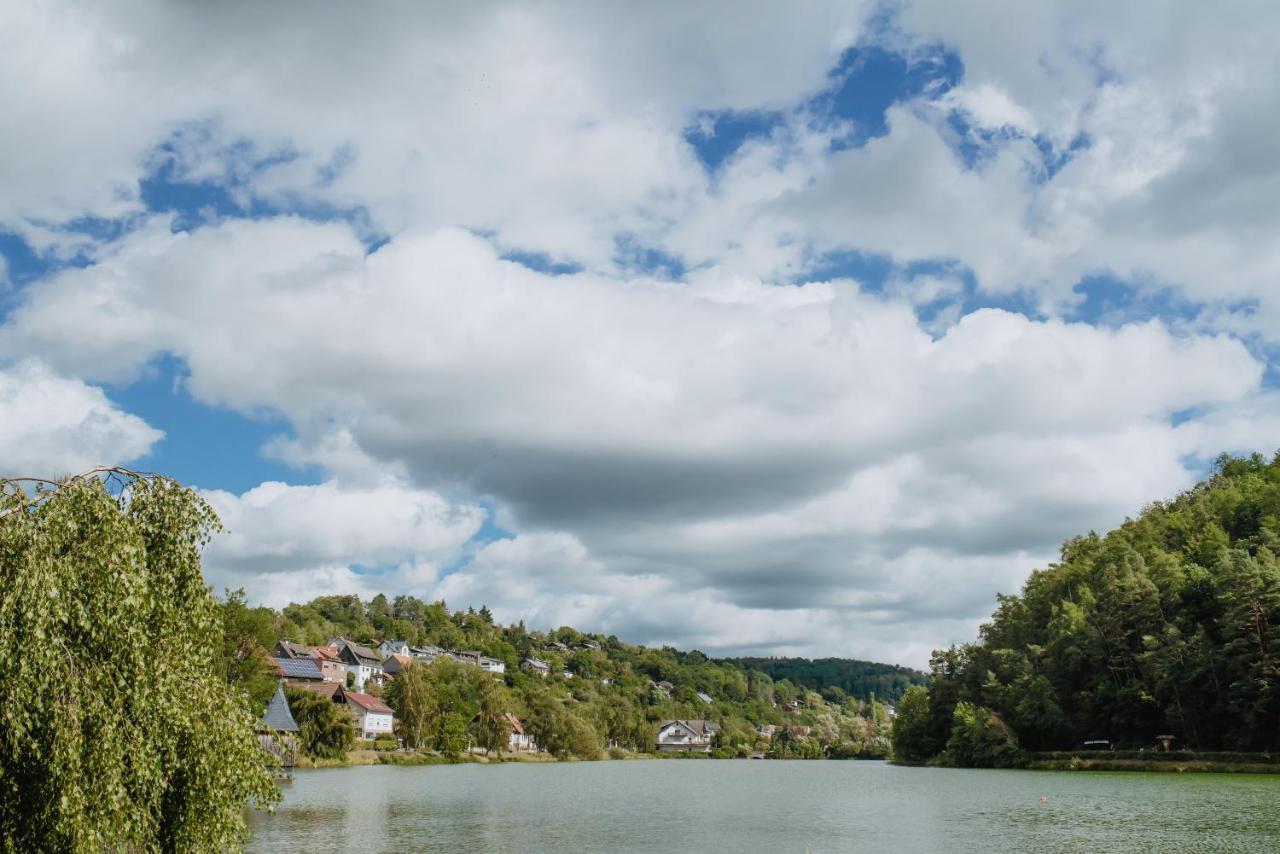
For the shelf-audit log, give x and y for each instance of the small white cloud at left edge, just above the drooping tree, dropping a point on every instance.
(57, 426)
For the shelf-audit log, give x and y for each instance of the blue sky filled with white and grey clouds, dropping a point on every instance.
(748, 327)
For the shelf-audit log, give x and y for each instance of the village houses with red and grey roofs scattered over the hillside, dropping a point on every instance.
(342, 670)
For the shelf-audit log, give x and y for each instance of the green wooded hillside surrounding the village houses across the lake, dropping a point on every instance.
(595, 698)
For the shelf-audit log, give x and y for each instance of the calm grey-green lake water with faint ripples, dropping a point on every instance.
(746, 806)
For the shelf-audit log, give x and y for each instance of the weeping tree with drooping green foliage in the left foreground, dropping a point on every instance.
(116, 733)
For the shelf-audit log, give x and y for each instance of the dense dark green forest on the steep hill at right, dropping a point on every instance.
(1169, 625)
